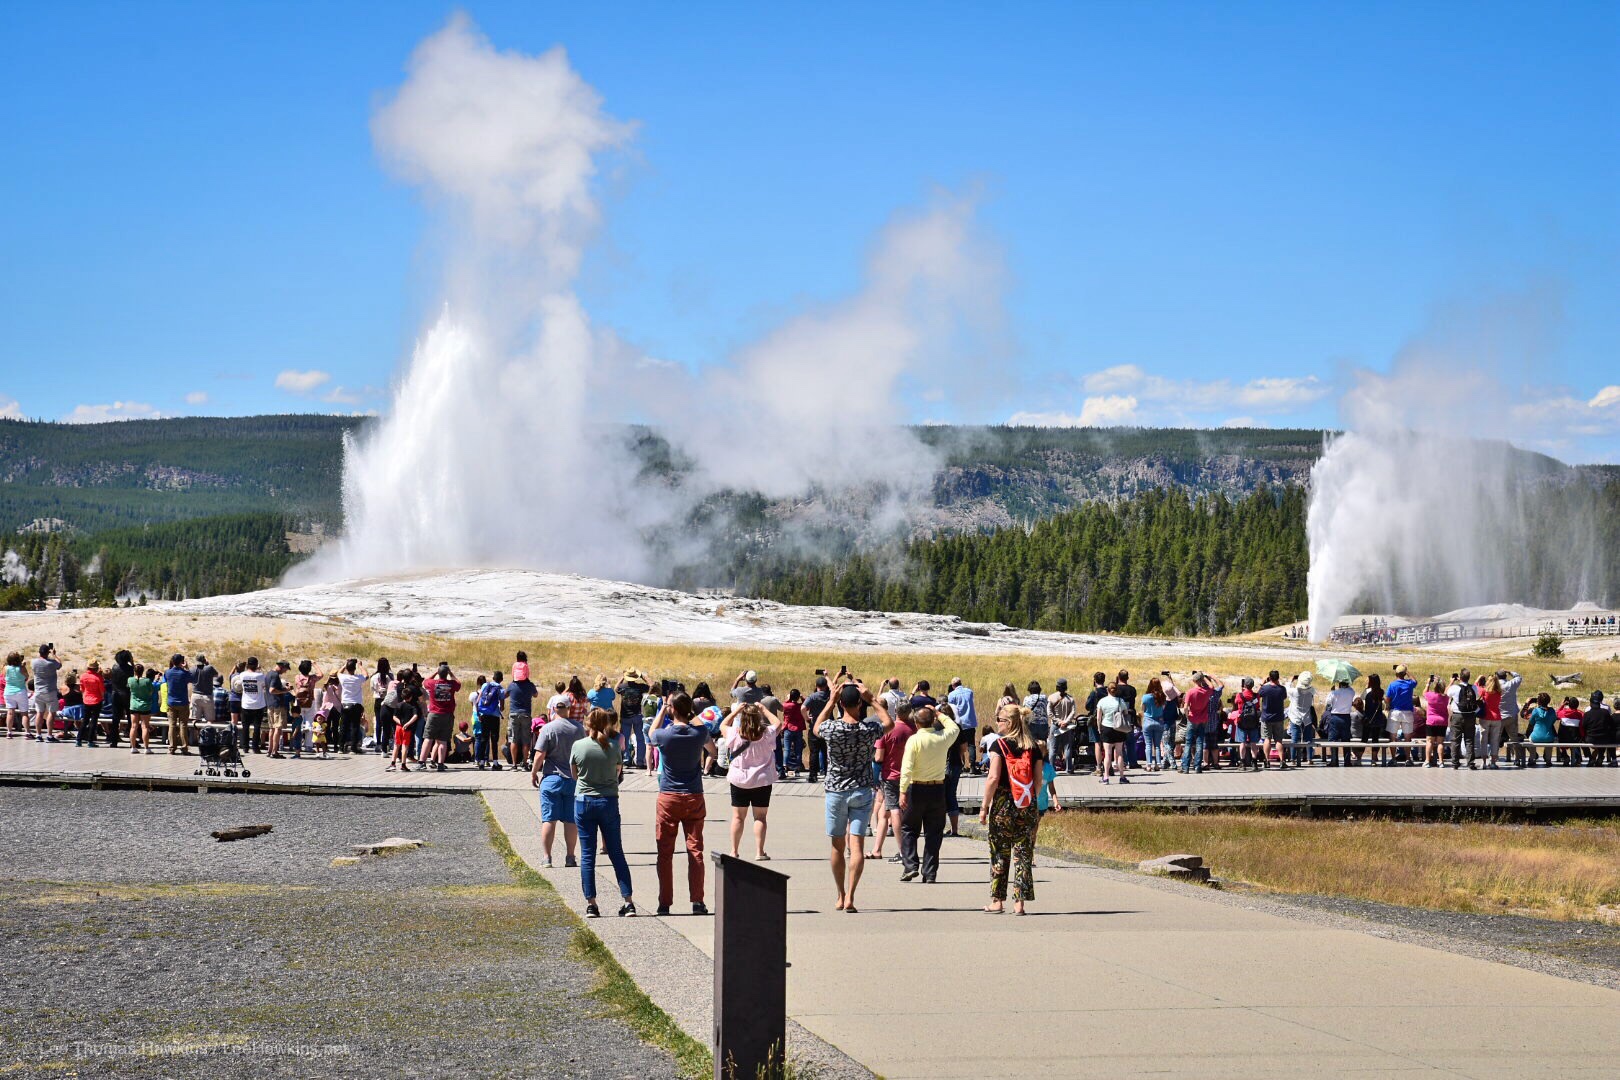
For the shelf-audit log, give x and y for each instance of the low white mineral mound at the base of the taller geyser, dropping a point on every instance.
(529, 605)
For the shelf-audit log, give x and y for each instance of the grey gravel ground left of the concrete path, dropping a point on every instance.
(169, 955)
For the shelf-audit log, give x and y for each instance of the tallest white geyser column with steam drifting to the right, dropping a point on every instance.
(490, 454)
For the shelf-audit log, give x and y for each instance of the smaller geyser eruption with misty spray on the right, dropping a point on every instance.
(1423, 506)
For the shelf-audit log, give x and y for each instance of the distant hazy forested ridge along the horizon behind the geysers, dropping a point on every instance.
(129, 474)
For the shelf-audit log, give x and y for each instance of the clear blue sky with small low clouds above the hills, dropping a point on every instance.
(1232, 205)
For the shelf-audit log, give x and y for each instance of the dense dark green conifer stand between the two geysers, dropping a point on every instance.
(1162, 563)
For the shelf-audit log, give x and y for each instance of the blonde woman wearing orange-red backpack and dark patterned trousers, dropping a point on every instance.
(1012, 809)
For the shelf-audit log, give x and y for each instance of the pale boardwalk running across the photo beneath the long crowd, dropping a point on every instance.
(1556, 788)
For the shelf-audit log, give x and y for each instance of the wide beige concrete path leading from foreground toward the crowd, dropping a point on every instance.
(1109, 977)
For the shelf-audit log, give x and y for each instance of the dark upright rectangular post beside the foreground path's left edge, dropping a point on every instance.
(751, 972)
